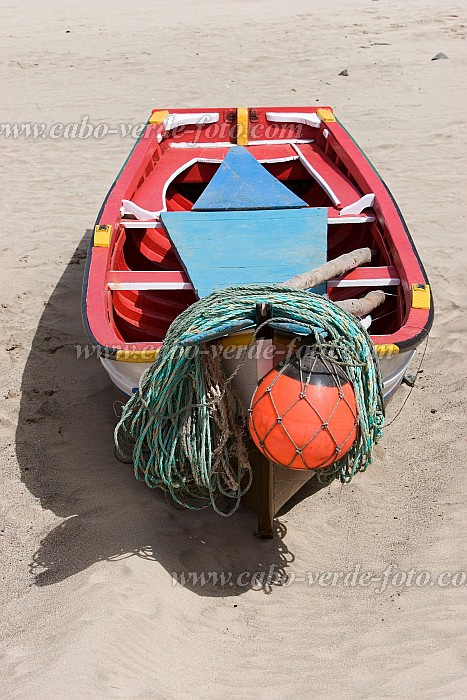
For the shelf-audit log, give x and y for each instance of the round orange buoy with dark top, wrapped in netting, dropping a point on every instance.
(303, 414)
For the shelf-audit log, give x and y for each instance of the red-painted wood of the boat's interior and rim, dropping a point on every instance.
(157, 175)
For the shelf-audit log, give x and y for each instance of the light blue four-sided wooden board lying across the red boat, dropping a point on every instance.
(222, 249)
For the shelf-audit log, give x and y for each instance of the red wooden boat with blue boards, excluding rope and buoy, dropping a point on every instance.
(237, 196)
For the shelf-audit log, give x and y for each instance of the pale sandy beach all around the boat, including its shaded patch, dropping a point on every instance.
(89, 557)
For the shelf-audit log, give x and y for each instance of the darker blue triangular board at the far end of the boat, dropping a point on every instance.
(241, 183)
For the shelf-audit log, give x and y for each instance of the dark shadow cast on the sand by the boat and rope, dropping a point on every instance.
(64, 444)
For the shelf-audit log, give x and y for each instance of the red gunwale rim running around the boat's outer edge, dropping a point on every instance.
(97, 321)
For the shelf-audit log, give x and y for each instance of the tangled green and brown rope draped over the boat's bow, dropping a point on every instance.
(181, 429)
